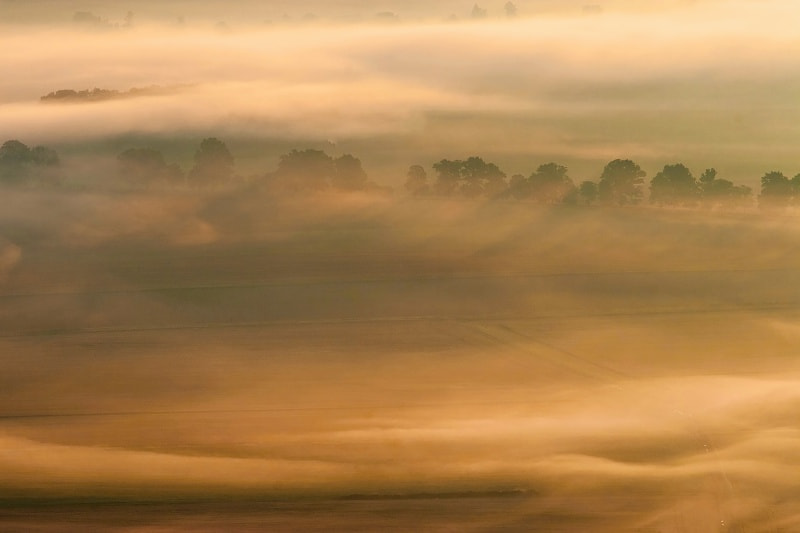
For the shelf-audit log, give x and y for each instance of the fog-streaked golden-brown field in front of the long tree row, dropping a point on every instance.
(203, 361)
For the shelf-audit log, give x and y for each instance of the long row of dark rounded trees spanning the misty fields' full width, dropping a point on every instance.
(621, 182)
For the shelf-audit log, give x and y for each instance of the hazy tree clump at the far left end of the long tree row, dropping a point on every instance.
(21, 165)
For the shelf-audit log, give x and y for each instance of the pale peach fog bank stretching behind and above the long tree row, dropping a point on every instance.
(706, 83)
